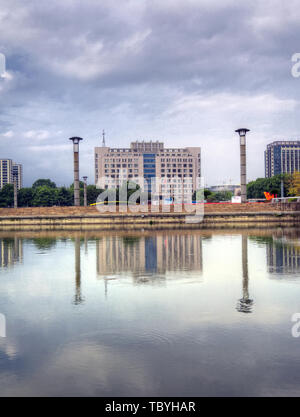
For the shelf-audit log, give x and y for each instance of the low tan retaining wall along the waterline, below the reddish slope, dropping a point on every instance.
(149, 221)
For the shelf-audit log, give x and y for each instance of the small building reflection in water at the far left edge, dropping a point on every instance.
(11, 251)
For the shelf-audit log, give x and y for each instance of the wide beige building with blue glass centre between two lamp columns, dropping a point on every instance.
(146, 161)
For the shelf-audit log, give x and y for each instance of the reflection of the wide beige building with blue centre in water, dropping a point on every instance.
(149, 257)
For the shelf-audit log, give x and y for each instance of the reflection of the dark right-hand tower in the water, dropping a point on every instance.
(283, 256)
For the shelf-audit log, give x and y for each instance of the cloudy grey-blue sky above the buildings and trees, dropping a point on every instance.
(186, 72)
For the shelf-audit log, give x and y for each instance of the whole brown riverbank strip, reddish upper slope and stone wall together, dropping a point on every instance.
(88, 218)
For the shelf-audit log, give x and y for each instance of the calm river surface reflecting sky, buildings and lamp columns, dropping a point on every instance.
(150, 314)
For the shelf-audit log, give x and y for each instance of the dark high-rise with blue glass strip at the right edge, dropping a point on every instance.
(282, 157)
